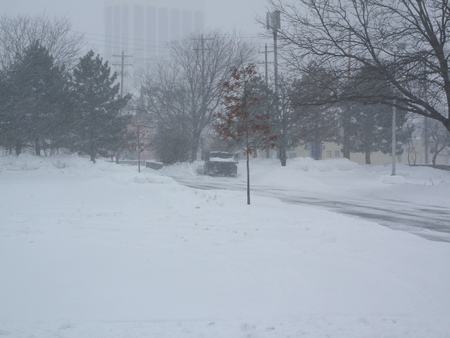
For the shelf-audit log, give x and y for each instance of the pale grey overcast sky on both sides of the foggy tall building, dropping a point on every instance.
(87, 15)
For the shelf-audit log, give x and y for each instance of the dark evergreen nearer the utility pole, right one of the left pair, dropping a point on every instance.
(99, 127)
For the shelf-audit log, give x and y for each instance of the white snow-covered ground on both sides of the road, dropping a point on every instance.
(103, 251)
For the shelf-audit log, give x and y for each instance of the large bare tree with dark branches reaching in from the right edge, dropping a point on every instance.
(406, 42)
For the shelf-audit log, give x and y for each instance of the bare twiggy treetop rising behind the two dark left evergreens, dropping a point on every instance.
(16, 33)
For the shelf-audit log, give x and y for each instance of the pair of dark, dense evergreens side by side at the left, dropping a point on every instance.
(48, 107)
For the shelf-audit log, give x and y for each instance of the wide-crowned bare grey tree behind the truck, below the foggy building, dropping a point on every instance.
(187, 89)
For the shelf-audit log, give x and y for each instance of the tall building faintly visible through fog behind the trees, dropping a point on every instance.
(143, 28)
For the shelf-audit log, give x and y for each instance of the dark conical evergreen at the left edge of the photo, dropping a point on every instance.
(34, 95)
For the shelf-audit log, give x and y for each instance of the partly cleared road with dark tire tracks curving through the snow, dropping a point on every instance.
(431, 222)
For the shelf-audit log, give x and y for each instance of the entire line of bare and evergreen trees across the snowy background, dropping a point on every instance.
(346, 64)
